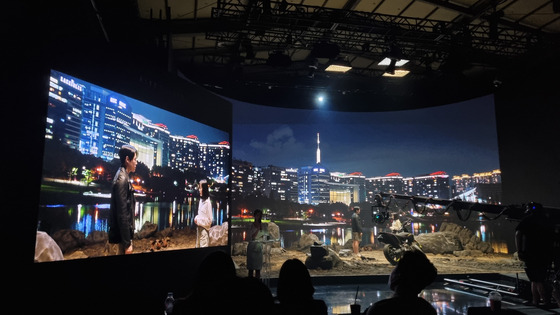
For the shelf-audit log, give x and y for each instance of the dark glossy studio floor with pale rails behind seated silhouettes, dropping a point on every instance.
(450, 294)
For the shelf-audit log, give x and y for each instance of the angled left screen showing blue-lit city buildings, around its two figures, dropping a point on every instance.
(86, 124)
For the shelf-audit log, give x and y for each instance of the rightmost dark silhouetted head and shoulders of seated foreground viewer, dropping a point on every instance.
(411, 275)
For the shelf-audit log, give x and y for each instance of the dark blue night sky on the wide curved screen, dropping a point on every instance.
(458, 138)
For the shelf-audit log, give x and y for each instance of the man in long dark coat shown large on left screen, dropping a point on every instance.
(121, 219)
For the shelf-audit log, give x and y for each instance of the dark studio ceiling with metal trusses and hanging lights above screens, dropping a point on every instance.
(275, 52)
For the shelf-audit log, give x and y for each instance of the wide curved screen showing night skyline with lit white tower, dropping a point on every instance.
(309, 168)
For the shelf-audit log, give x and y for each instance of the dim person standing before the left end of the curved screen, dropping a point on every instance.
(255, 246)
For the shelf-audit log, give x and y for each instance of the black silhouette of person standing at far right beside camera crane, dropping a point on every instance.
(534, 237)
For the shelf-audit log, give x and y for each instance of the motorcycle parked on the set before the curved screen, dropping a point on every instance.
(397, 243)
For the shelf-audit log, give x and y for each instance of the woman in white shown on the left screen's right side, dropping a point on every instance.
(203, 219)
